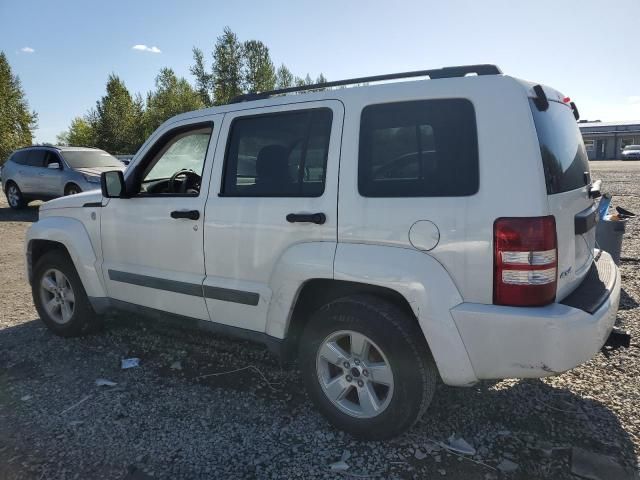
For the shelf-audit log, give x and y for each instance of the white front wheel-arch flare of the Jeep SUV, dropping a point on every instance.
(72, 234)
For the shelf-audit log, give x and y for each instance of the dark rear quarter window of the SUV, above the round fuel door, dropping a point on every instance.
(426, 148)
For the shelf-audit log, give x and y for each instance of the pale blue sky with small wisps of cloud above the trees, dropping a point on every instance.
(63, 51)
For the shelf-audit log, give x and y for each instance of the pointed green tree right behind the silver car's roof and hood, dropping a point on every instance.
(118, 119)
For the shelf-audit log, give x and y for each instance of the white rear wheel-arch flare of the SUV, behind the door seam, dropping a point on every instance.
(428, 289)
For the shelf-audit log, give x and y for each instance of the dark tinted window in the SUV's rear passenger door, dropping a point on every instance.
(278, 155)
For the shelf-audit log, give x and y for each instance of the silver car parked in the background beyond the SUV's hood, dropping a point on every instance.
(43, 173)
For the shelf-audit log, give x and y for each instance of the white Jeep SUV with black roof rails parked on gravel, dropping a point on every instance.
(385, 235)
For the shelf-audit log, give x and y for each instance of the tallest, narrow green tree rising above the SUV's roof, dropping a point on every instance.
(227, 68)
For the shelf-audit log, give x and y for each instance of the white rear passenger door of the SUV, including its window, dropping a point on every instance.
(274, 189)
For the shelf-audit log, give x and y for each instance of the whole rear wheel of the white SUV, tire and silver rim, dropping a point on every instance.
(367, 367)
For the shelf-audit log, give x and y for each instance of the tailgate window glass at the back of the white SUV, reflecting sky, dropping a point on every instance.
(564, 157)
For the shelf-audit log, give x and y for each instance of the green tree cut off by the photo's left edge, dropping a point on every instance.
(17, 122)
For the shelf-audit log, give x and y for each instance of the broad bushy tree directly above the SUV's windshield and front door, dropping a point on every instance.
(172, 96)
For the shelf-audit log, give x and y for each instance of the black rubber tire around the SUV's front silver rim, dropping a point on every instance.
(83, 320)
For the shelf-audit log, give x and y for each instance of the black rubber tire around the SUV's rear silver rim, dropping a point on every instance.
(399, 337)
